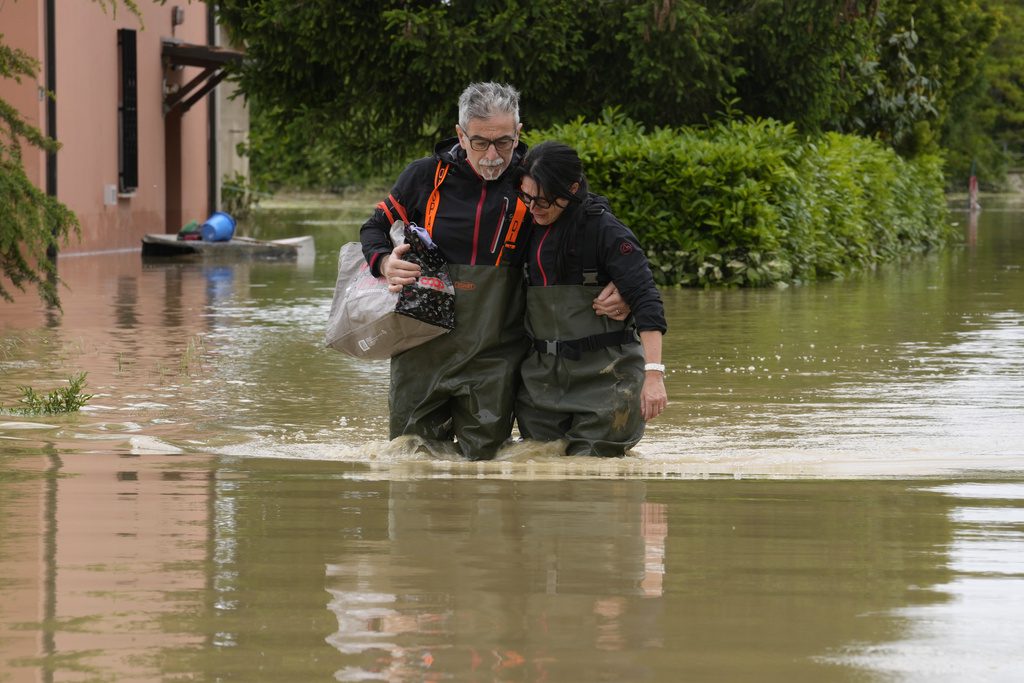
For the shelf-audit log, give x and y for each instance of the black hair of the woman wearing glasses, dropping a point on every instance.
(556, 167)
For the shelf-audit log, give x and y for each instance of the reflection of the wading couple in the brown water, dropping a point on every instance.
(494, 577)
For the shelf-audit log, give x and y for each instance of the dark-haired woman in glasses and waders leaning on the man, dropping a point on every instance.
(586, 378)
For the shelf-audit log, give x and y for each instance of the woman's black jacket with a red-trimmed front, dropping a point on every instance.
(590, 237)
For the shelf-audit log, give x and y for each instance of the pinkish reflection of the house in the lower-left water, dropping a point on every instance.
(113, 581)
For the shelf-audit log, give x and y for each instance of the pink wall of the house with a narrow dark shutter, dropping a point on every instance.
(88, 92)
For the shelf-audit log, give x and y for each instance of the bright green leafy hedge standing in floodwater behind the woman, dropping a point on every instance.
(753, 204)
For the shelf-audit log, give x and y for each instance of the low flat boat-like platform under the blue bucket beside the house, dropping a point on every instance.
(237, 249)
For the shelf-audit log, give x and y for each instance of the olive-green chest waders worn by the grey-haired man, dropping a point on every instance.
(463, 385)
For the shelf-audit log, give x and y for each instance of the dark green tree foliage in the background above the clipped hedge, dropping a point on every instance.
(352, 87)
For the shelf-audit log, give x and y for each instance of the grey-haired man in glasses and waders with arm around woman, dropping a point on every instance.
(463, 385)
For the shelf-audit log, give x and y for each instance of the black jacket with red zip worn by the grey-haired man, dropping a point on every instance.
(474, 216)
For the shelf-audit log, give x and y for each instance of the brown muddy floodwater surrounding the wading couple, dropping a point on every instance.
(835, 494)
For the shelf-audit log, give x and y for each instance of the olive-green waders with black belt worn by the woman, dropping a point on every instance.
(582, 379)
